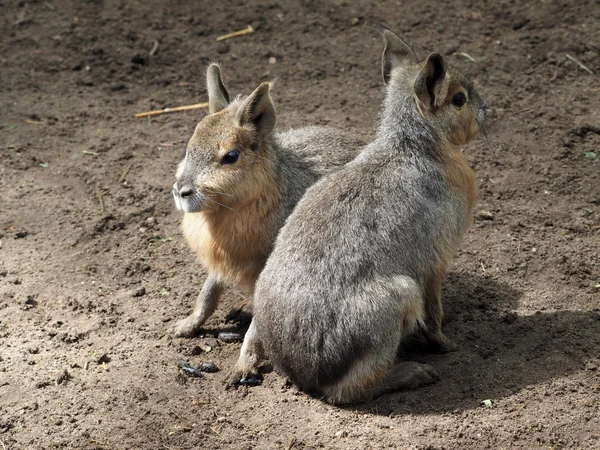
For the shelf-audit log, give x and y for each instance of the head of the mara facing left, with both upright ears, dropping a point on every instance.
(227, 159)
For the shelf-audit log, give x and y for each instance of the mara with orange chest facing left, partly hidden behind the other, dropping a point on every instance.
(239, 181)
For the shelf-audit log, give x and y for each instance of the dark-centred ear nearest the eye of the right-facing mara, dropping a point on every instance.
(431, 85)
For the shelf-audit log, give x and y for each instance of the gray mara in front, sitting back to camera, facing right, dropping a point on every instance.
(360, 262)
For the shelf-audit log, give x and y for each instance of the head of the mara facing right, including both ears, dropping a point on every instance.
(443, 96)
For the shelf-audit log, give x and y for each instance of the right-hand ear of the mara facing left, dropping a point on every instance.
(258, 111)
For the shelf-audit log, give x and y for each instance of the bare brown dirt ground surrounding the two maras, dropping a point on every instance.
(94, 271)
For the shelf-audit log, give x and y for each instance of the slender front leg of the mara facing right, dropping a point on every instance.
(434, 312)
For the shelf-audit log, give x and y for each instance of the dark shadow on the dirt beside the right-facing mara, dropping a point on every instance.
(499, 352)
